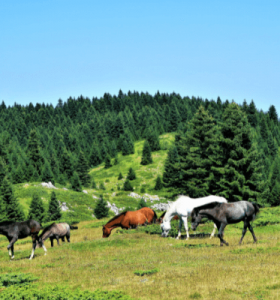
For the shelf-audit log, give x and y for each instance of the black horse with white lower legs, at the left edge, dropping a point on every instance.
(20, 230)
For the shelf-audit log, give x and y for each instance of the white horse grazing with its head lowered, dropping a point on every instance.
(183, 207)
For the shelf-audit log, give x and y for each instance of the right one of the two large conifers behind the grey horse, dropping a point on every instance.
(242, 170)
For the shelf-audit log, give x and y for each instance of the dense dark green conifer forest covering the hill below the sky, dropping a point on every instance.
(220, 147)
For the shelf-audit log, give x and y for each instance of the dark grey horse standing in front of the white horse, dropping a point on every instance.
(223, 214)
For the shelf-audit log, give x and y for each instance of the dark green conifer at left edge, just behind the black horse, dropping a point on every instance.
(13, 210)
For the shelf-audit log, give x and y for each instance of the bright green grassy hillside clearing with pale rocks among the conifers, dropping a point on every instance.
(82, 204)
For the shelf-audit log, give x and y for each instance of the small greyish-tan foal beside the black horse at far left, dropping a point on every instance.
(55, 231)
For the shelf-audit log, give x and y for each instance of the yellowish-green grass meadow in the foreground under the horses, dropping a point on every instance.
(147, 266)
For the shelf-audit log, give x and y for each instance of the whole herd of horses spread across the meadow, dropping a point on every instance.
(215, 208)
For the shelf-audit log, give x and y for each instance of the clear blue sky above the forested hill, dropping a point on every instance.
(55, 49)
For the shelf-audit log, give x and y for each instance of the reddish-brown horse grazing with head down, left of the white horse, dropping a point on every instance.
(130, 219)
